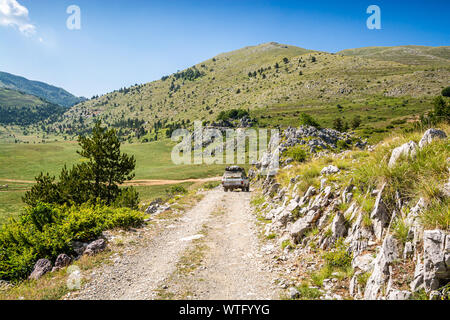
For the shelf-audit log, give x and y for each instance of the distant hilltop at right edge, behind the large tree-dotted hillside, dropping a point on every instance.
(410, 55)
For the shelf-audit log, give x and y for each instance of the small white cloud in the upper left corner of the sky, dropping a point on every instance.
(13, 14)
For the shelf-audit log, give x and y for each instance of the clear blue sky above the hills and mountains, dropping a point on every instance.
(126, 42)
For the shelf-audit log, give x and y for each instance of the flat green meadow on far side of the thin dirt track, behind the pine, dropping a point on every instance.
(153, 161)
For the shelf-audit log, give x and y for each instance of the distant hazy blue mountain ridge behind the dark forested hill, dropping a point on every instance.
(39, 89)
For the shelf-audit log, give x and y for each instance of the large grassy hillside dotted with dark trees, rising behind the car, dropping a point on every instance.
(270, 75)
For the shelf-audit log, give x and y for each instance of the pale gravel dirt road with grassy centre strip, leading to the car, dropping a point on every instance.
(211, 252)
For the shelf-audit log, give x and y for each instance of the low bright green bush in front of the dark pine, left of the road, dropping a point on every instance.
(46, 230)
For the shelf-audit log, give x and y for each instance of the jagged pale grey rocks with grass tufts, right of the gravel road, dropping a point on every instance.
(316, 220)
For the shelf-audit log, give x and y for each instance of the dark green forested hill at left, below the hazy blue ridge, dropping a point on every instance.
(18, 108)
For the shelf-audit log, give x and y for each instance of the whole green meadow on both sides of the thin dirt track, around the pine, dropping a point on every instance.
(25, 161)
